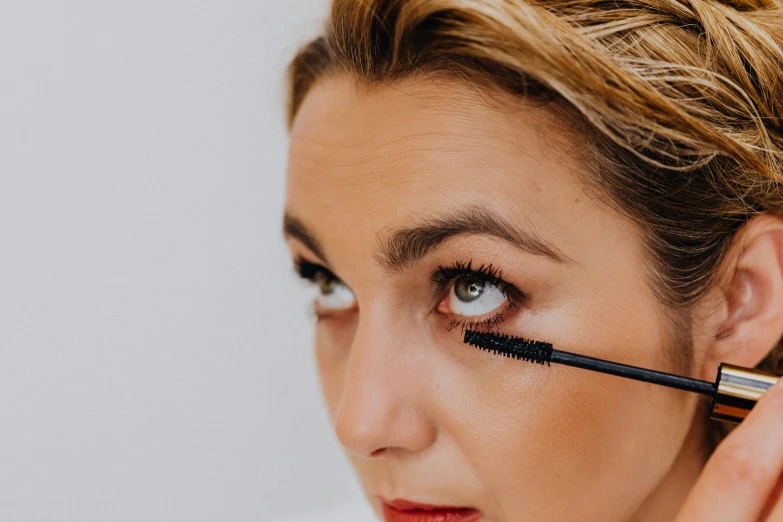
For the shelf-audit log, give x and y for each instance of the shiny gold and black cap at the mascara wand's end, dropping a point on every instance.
(737, 391)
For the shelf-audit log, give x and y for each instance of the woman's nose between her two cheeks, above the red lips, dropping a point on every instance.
(381, 409)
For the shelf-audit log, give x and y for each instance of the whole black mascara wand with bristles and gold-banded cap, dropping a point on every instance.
(734, 392)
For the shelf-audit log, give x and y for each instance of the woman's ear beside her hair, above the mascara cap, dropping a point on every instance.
(748, 320)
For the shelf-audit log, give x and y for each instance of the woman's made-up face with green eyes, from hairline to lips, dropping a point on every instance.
(420, 210)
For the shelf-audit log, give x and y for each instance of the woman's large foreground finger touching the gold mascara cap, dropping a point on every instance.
(741, 474)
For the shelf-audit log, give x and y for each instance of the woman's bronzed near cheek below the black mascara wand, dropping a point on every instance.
(537, 435)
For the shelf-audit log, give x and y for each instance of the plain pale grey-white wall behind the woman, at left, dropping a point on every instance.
(155, 348)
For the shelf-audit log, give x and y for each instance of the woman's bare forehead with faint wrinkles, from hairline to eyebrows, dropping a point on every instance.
(368, 158)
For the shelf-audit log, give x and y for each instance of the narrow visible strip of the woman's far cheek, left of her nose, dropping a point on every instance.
(333, 339)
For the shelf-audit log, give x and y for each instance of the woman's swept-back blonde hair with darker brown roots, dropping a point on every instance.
(682, 101)
